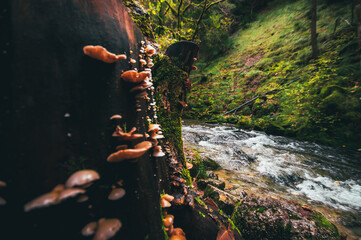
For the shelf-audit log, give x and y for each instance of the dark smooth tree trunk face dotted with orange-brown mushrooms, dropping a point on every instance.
(56, 120)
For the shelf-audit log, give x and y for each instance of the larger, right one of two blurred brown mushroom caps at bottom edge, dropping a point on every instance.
(107, 228)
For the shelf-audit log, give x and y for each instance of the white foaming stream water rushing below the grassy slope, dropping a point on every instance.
(327, 179)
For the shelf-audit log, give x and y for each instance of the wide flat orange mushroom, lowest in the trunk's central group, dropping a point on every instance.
(139, 150)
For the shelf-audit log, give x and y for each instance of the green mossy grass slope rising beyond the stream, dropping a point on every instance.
(323, 105)
